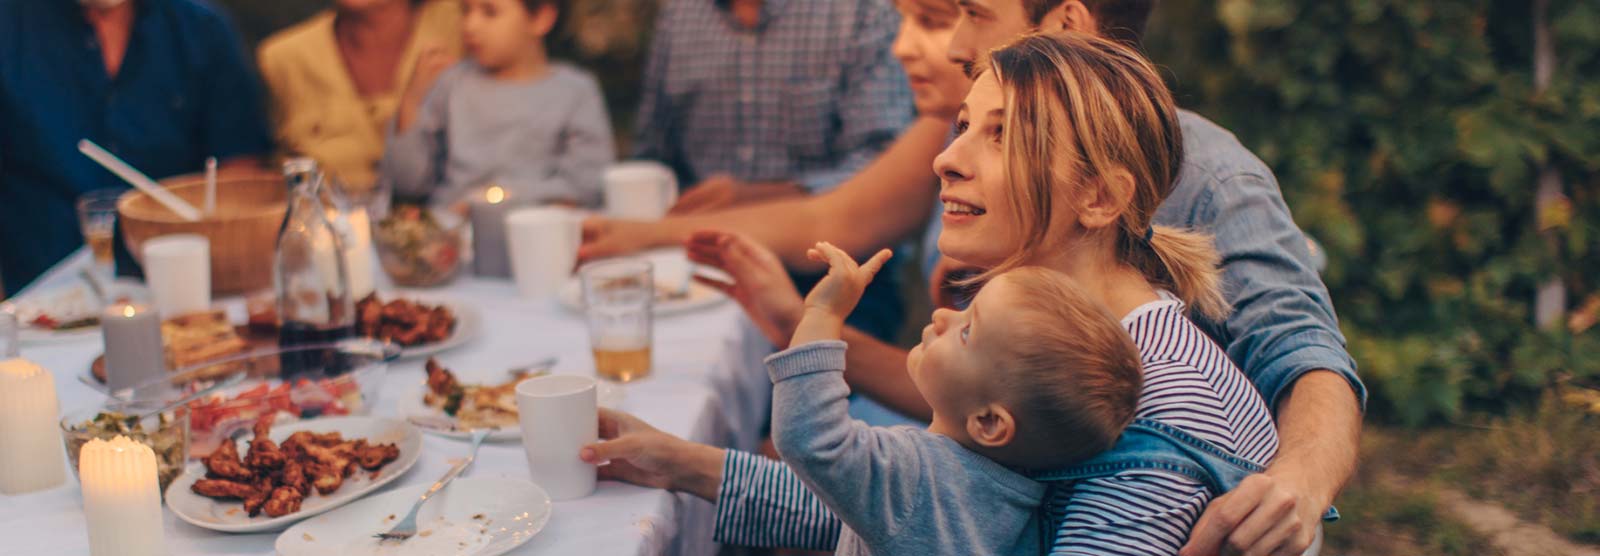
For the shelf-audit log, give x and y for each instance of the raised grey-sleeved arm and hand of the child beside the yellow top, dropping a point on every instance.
(414, 161)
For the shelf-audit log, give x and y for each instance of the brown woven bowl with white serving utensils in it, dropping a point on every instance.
(244, 232)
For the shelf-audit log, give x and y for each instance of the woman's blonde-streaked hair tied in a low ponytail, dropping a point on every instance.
(1081, 108)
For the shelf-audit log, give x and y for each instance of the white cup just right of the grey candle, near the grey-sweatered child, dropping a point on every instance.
(543, 244)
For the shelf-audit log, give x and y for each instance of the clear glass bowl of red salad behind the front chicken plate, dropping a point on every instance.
(326, 379)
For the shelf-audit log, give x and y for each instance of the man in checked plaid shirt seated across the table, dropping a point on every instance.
(756, 100)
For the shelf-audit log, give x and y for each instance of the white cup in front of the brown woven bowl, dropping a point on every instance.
(178, 271)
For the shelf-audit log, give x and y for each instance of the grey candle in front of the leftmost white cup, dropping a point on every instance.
(134, 346)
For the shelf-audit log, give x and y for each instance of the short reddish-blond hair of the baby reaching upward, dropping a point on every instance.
(1071, 373)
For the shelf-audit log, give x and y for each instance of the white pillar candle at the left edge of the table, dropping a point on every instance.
(31, 458)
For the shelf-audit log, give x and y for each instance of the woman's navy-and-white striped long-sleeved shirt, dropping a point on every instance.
(1188, 384)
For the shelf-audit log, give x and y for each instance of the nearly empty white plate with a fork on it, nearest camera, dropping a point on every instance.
(470, 518)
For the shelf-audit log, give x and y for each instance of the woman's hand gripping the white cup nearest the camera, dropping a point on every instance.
(644, 456)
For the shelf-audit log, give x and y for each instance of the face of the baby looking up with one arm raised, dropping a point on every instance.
(954, 365)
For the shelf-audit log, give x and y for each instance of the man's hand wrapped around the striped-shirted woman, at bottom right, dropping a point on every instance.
(1265, 515)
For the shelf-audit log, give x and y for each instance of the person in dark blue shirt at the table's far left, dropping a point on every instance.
(161, 84)
